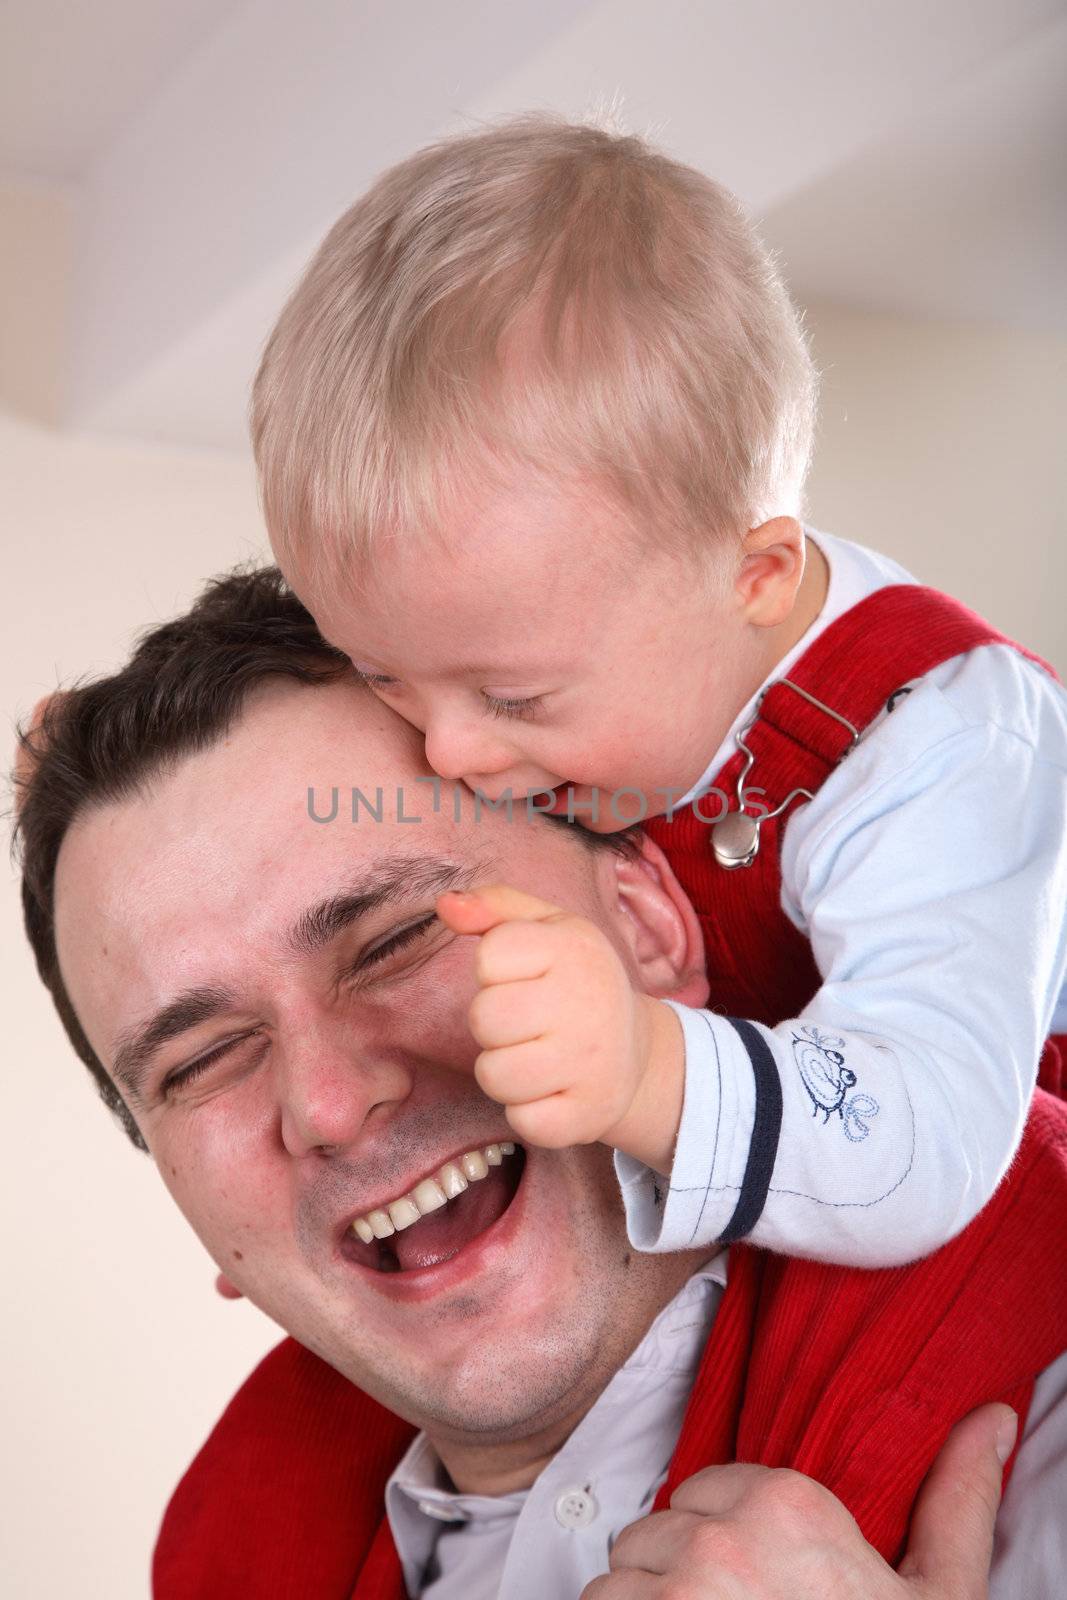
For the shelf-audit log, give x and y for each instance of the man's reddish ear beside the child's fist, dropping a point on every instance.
(660, 926)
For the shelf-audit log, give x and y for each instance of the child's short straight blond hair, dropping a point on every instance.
(540, 294)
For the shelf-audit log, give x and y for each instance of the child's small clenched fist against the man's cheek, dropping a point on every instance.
(569, 1047)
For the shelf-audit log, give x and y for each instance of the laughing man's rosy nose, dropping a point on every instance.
(332, 1086)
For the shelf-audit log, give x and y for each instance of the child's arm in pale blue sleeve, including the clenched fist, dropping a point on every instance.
(876, 1126)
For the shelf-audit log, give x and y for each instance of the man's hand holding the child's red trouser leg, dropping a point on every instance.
(753, 1534)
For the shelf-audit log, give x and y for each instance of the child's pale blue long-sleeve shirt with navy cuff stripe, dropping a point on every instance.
(930, 874)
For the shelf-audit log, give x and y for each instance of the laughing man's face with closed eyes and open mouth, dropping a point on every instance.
(294, 1022)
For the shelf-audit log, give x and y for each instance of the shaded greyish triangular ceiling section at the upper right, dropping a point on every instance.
(962, 214)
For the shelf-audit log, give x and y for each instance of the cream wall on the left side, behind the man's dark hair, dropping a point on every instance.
(116, 1353)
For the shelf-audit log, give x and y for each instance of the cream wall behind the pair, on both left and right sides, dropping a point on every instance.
(940, 444)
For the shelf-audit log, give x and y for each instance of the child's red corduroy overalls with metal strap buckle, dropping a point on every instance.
(850, 1377)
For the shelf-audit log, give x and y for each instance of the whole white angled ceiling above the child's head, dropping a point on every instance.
(903, 156)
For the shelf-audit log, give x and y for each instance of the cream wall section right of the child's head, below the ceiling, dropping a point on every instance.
(945, 444)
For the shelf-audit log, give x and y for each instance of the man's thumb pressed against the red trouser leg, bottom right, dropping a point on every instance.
(951, 1543)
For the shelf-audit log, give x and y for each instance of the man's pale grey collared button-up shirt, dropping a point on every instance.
(554, 1538)
